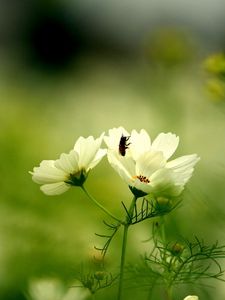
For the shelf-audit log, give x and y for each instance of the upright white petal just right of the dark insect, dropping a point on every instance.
(139, 143)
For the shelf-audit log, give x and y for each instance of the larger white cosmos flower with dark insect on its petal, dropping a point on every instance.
(144, 167)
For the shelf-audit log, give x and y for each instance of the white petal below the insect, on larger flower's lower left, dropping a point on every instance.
(124, 166)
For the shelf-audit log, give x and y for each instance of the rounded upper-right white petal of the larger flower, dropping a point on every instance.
(167, 143)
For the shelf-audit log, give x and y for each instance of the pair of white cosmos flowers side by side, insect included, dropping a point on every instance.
(141, 163)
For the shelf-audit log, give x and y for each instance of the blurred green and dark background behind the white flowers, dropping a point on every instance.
(71, 68)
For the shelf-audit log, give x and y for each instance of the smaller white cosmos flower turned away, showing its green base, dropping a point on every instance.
(57, 176)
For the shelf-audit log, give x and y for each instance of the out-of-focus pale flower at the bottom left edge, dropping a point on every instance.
(53, 289)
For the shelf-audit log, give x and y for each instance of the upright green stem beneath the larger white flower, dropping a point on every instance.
(124, 246)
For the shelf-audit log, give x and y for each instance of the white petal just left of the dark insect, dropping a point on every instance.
(113, 139)
